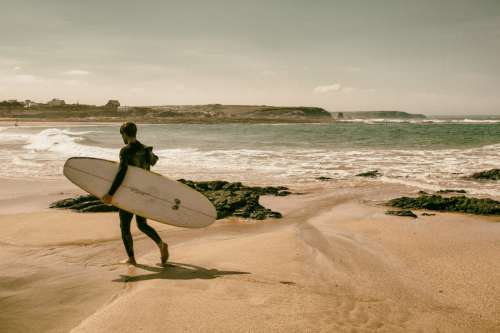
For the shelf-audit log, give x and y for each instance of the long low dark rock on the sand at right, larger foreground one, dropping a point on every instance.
(460, 204)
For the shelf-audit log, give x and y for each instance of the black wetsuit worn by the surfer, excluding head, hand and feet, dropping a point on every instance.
(141, 156)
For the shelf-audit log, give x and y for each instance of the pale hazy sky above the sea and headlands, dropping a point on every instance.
(434, 57)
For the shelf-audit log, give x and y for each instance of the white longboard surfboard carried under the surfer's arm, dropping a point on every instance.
(143, 192)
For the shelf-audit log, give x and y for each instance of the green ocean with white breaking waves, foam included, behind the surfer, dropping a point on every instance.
(430, 154)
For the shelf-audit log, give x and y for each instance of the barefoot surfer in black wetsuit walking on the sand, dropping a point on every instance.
(139, 155)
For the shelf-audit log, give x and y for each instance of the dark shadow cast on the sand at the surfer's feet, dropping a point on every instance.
(176, 271)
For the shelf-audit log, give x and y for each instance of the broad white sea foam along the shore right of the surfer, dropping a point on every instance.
(432, 169)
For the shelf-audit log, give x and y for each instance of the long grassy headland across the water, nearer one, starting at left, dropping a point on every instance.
(165, 114)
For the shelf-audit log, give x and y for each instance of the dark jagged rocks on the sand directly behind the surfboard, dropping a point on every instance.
(229, 199)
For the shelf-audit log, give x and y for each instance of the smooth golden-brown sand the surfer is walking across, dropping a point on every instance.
(334, 263)
